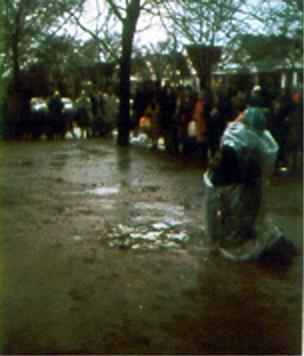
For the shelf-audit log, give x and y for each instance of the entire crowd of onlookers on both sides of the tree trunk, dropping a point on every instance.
(190, 122)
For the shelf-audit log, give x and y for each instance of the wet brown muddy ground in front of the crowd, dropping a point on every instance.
(70, 286)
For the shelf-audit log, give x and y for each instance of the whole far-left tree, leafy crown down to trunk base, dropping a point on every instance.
(23, 25)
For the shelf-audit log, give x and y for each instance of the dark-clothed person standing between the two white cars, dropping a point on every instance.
(55, 115)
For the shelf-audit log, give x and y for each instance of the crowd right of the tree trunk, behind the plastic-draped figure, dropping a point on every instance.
(192, 122)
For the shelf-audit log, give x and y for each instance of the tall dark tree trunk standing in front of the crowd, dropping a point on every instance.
(129, 28)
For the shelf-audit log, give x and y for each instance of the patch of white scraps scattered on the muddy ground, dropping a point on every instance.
(148, 237)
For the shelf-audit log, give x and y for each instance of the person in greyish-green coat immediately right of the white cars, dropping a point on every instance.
(84, 113)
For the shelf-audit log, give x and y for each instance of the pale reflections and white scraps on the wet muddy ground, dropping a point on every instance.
(154, 225)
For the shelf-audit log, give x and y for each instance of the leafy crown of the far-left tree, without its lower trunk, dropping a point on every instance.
(25, 23)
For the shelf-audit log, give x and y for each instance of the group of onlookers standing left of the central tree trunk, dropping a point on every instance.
(93, 113)
